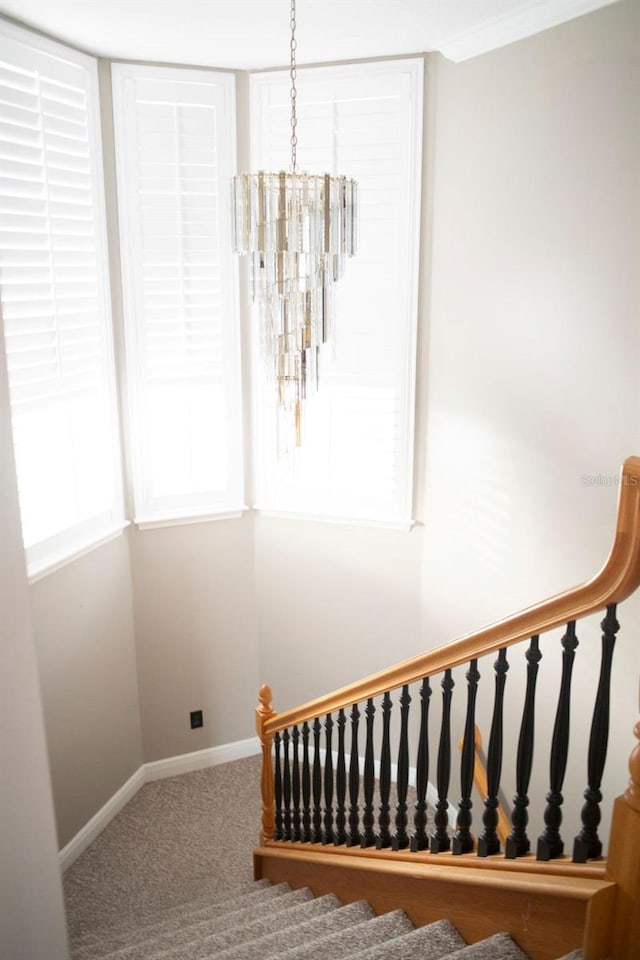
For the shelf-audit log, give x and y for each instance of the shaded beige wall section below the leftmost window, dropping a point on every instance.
(83, 624)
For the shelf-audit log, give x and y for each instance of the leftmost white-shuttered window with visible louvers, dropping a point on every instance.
(55, 301)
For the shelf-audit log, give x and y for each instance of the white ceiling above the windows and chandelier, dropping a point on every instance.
(254, 34)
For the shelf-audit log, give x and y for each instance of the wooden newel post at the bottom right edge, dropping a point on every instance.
(623, 863)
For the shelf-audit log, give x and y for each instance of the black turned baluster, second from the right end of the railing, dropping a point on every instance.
(550, 843)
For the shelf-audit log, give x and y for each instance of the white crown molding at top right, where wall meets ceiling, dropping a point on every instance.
(539, 15)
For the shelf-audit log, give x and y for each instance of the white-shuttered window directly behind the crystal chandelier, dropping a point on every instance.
(356, 460)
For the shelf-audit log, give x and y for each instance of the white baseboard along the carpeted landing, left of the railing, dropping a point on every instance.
(157, 770)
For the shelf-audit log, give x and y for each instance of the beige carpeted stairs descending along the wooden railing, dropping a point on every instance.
(257, 921)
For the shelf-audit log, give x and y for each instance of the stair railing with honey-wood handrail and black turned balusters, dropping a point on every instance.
(316, 797)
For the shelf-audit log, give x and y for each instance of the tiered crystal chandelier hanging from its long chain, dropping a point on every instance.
(298, 229)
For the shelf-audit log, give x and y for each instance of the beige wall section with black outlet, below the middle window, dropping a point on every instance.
(195, 634)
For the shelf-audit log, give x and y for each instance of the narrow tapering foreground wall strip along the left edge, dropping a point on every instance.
(32, 923)
